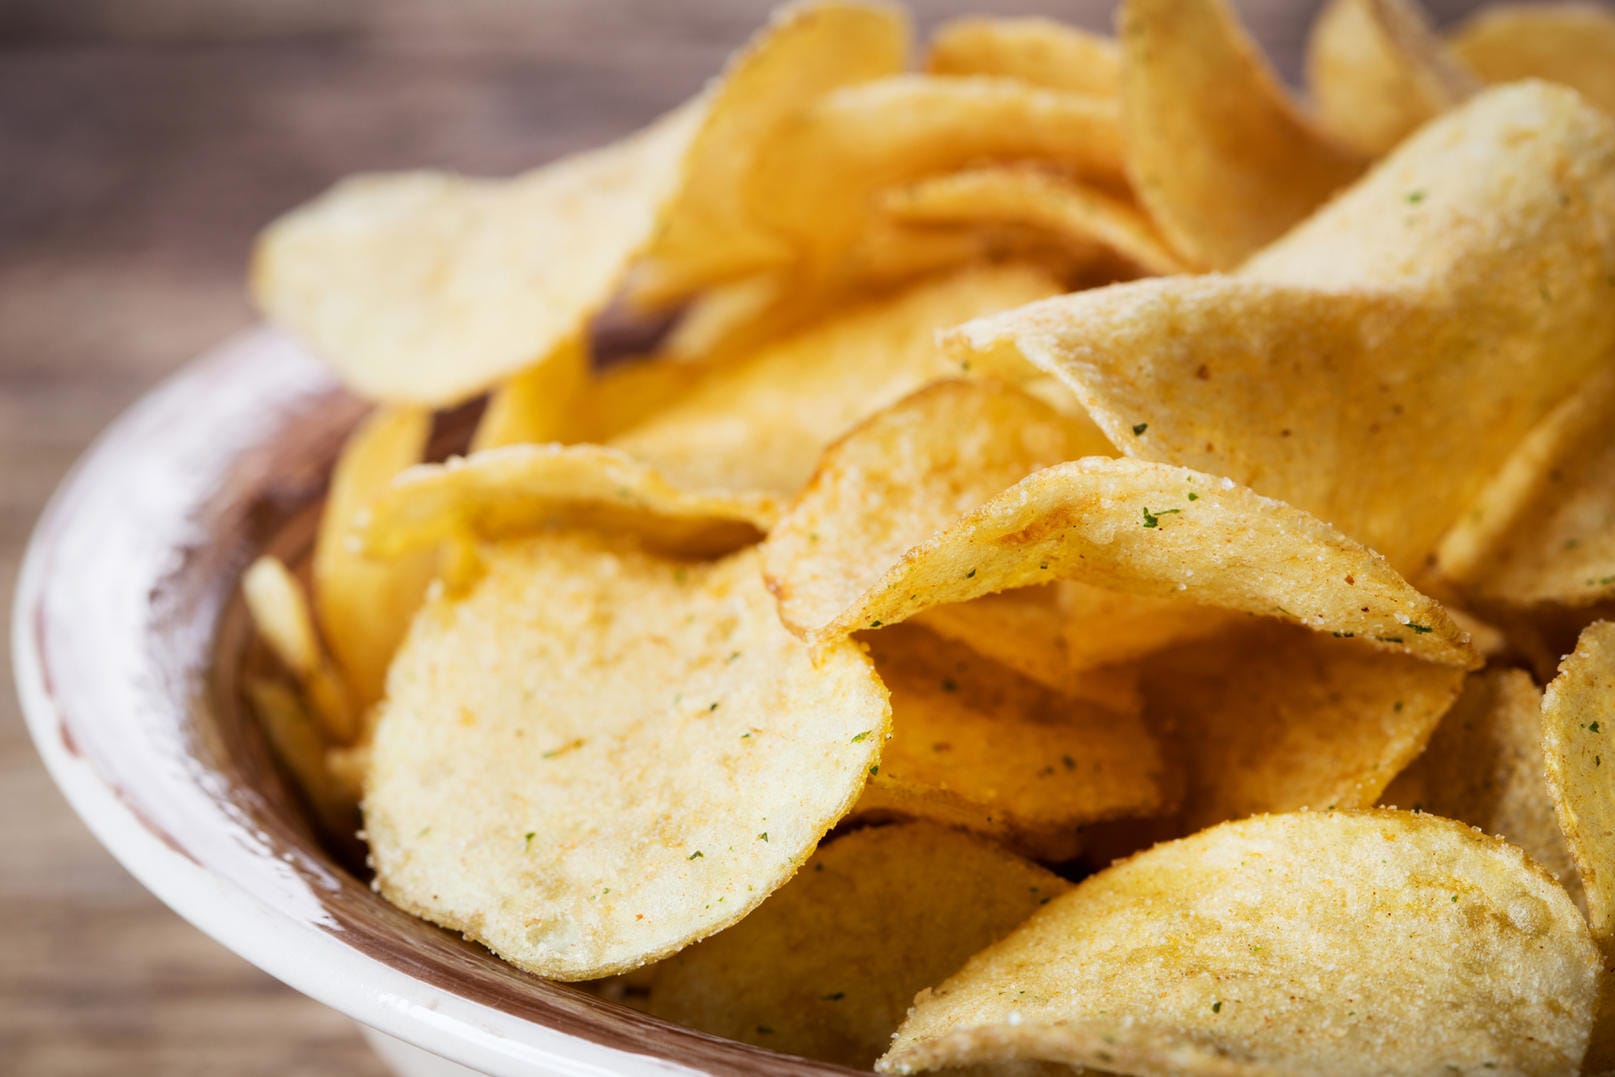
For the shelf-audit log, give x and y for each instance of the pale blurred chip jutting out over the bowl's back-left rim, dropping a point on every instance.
(427, 288)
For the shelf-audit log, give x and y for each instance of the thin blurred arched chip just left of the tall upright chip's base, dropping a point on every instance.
(1093, 224)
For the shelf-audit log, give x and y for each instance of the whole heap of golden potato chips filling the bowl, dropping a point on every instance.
(1138, 516)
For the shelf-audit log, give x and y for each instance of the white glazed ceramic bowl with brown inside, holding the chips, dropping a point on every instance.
(128, 637)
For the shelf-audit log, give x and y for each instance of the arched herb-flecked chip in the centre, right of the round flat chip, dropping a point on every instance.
(1135, 527)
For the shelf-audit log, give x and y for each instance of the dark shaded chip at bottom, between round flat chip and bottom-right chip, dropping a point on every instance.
(831, 963)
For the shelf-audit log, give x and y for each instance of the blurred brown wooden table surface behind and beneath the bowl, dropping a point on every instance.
(141, 146)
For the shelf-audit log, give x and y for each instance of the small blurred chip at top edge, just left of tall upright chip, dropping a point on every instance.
(1034, 51)
